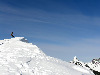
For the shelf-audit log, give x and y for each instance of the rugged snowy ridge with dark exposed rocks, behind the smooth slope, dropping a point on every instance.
(93, 66)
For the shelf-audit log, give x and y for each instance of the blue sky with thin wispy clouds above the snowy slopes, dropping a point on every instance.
(61, 28)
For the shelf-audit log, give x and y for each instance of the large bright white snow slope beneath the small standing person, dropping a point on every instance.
(18, 57)
